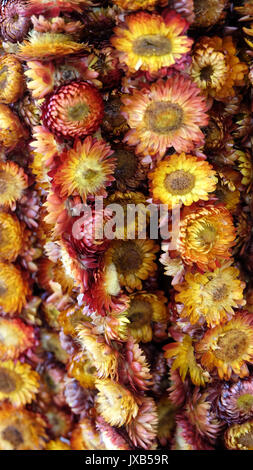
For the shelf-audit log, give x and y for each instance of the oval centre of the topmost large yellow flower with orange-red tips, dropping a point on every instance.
(152, 45)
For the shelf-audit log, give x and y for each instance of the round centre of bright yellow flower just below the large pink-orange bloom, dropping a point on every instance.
(179, 182)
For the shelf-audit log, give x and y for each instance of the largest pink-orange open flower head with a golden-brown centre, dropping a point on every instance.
(166, 114)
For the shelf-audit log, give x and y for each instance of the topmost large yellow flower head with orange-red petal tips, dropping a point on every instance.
(149, 42)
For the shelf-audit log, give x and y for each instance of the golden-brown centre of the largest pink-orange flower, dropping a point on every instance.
(162, 117)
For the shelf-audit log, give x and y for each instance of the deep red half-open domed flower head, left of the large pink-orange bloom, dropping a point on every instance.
(74, 110)
